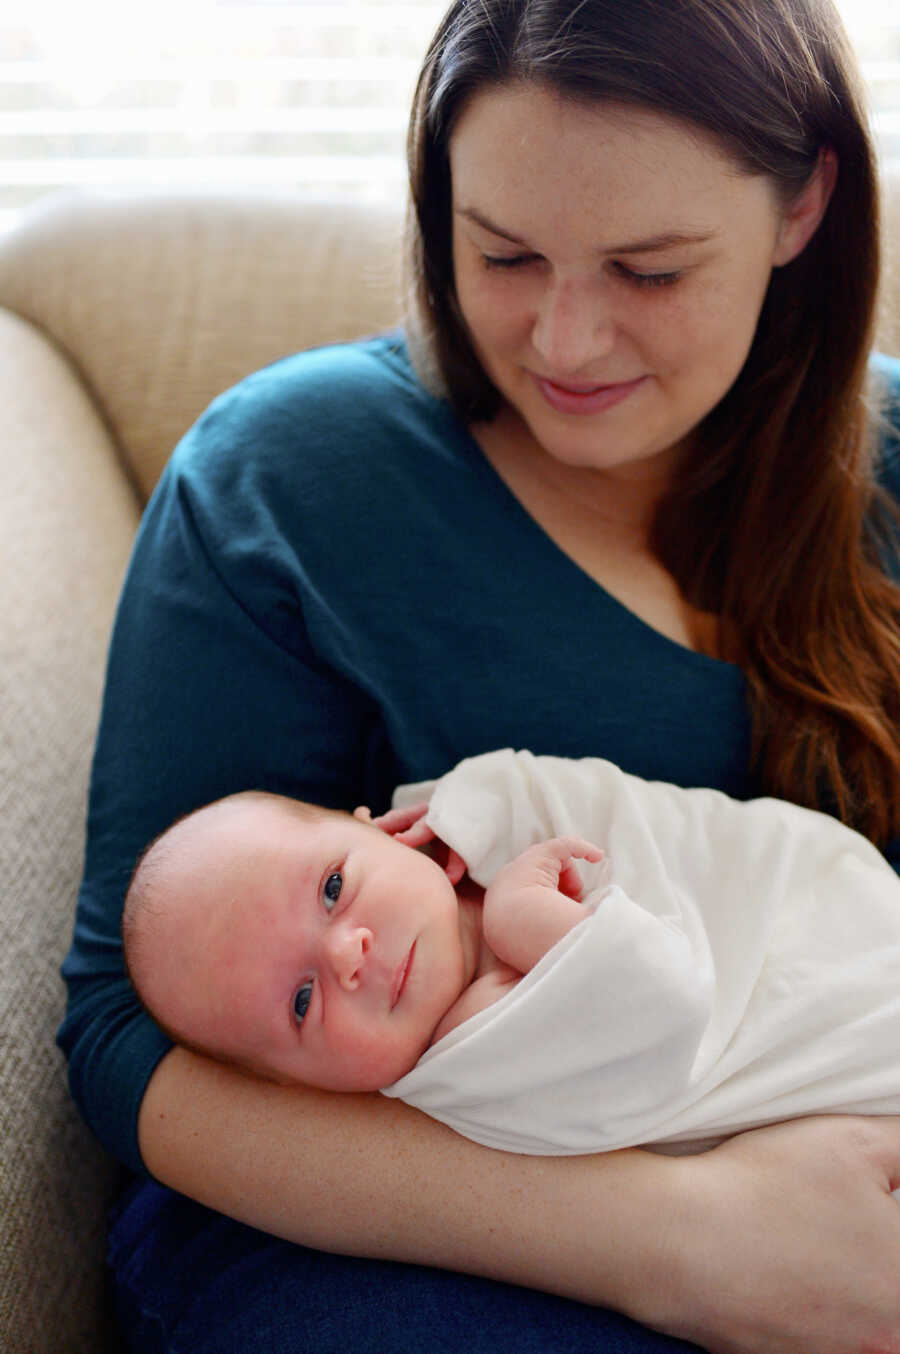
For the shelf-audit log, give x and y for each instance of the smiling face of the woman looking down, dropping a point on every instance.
(611, 266)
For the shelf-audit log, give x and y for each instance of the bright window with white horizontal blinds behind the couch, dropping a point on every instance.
(308, 94)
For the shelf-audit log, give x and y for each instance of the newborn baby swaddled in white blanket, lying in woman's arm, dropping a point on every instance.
(725, 965)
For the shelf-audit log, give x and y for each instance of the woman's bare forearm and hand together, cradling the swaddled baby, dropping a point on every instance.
(782, 1241)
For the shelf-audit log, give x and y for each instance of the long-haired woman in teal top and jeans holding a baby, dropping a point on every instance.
(633, 518)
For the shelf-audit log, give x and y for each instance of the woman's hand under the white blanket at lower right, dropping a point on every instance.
(790, 1238)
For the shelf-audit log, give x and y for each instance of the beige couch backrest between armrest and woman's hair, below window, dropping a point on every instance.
(162, 300)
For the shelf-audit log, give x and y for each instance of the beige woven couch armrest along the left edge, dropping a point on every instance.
(67, 521)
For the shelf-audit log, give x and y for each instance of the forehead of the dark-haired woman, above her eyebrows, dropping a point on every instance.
(607, 175)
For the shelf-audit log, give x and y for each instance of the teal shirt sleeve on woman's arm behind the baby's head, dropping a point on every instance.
(213, 686)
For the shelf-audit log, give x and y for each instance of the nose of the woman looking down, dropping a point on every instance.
(573, 328)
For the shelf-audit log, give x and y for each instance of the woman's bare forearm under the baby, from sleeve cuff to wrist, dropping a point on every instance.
(369, 1176)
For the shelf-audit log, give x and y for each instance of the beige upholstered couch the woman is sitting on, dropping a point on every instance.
(121, 318)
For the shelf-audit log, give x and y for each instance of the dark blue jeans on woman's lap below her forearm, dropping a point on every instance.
(190, 1282)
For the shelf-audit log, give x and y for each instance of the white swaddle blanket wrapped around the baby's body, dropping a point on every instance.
(738, 963)
